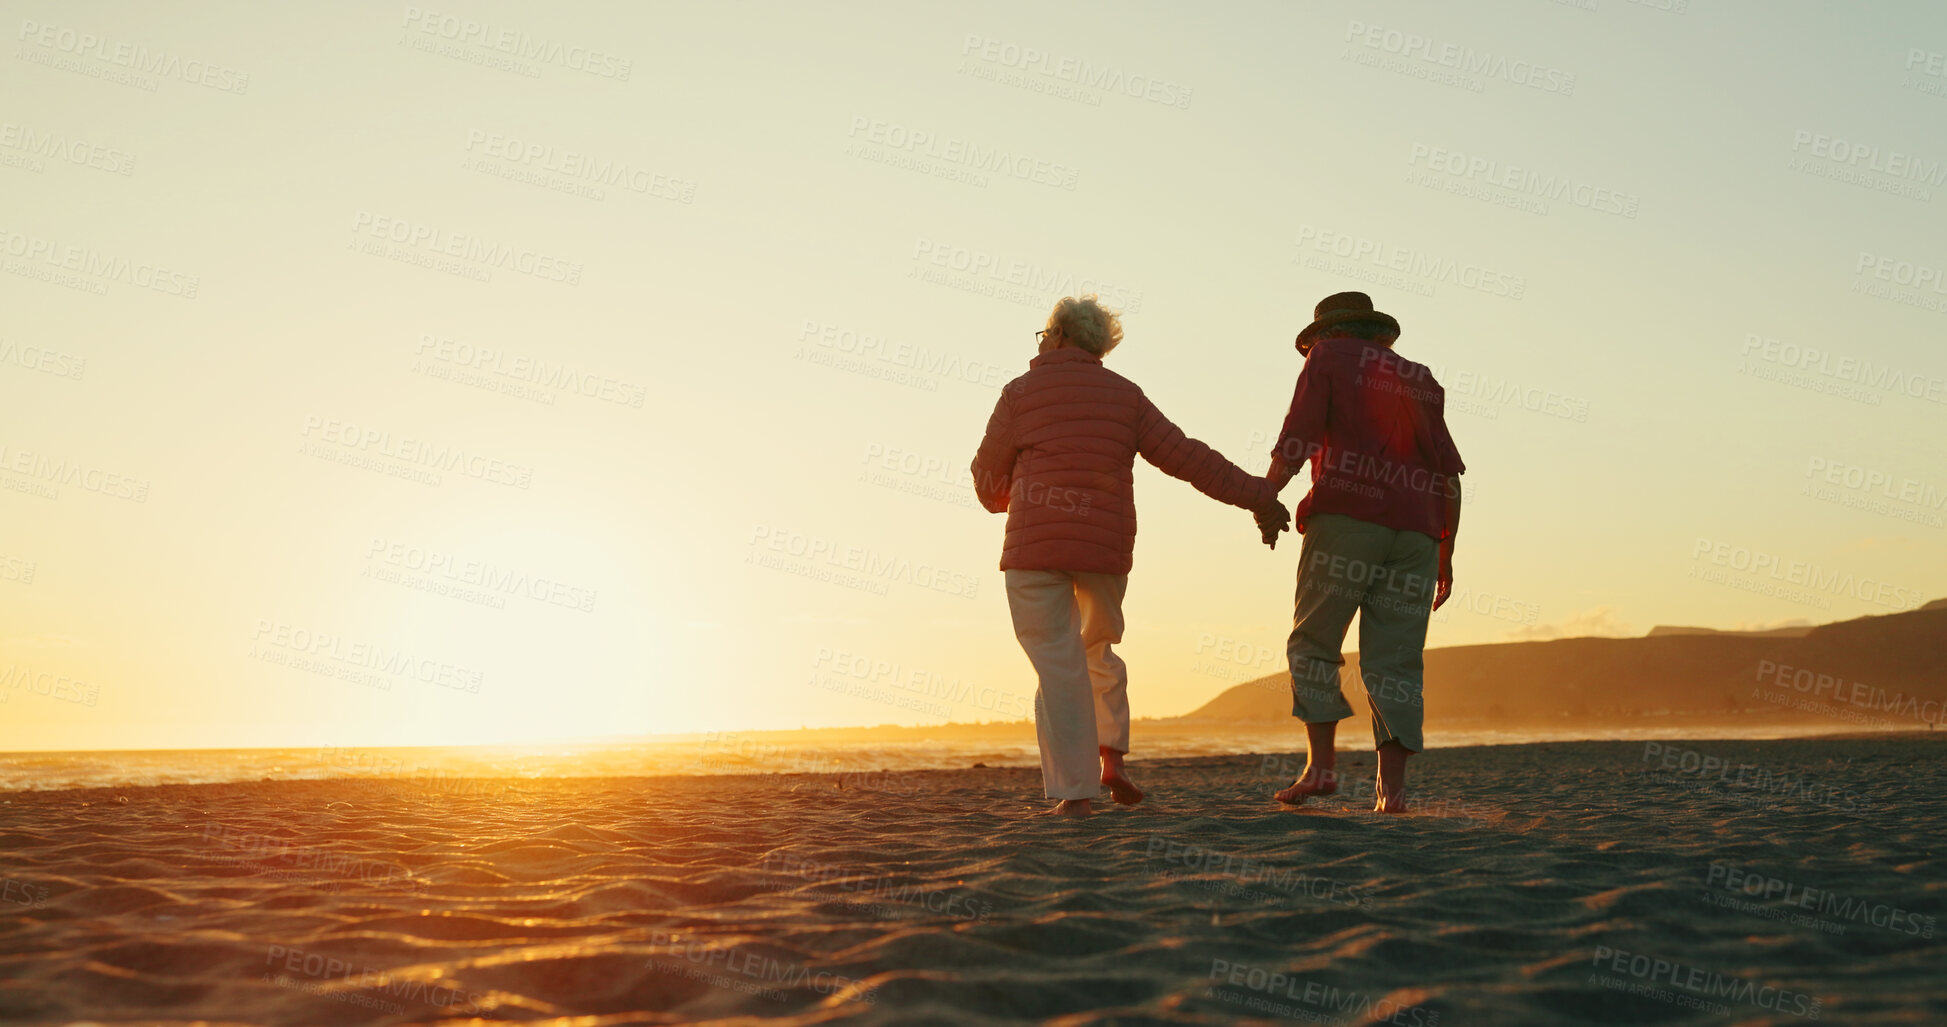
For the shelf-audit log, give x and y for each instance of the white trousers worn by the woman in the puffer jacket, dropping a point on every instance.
(1066, 623)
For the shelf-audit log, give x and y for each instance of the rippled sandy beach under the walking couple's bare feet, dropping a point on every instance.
(1547, 884)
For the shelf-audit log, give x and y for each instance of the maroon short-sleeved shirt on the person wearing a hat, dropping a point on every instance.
(1376, 430)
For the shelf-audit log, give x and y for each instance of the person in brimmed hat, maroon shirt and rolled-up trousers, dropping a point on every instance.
(1379, 535)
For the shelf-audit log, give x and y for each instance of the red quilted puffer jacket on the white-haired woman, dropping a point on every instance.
(1060, 457)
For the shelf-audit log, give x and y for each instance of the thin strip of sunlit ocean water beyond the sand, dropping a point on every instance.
(690, 757)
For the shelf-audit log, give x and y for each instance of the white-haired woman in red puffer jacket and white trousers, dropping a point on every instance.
(1058, 459)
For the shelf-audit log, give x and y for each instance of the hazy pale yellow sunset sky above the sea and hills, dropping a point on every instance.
(470, 373)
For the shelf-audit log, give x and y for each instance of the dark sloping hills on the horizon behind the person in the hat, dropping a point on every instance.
(1882, 673)
